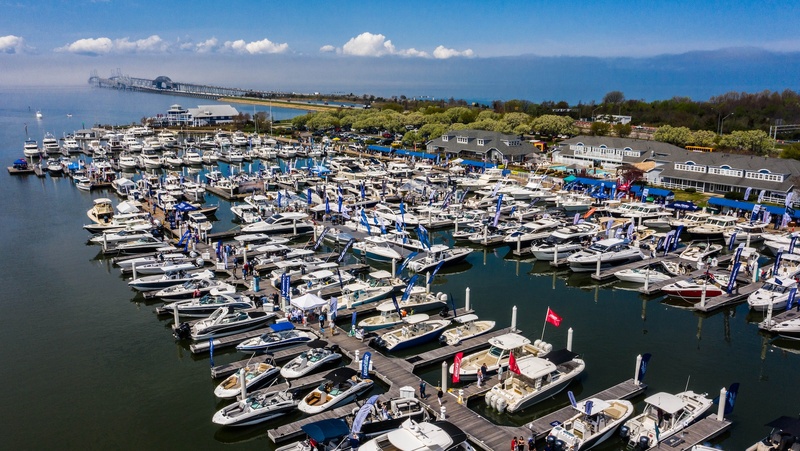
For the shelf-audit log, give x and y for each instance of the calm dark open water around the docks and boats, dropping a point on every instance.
(87, 364)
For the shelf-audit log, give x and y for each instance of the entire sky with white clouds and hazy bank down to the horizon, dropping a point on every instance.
(480, 49)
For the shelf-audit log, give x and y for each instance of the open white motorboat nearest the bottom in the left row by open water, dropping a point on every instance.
(256, 409)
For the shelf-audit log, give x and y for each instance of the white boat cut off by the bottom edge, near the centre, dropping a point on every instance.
(424, 436)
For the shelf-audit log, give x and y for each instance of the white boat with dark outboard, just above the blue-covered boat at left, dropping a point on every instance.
(224, 322)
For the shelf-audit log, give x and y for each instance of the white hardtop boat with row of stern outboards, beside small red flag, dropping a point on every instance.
(539, 378)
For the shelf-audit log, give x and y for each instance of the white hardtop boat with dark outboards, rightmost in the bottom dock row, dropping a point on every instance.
(664, 415)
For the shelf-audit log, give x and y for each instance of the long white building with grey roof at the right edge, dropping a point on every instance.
(674, 167)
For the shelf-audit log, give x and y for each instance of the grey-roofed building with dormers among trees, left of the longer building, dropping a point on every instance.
(481, 145)
